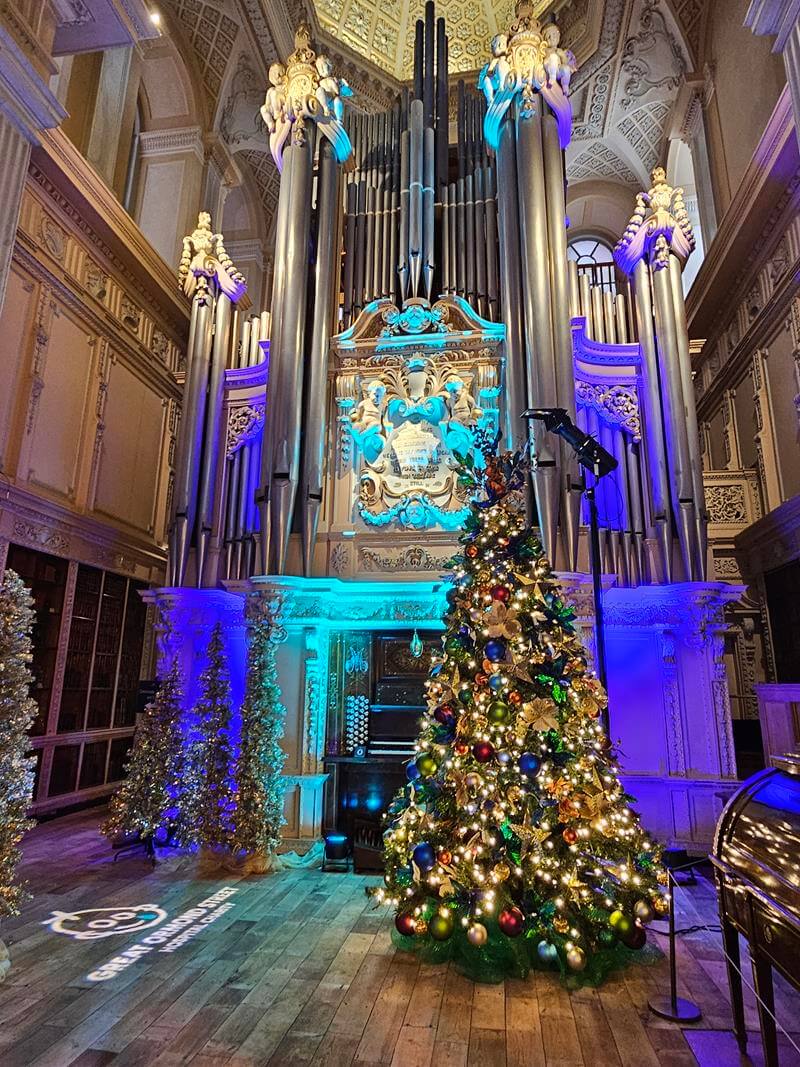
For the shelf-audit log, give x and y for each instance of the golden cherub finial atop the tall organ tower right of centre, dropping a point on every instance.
(525, 61)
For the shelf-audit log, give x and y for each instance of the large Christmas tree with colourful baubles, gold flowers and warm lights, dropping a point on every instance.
(514, 843)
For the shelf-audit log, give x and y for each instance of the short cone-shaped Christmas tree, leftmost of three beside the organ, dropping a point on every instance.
(149, 802)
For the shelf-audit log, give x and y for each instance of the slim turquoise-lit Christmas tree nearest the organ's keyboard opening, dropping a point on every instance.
(260, 813)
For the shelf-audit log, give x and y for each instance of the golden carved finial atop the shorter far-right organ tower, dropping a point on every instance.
(653, 235)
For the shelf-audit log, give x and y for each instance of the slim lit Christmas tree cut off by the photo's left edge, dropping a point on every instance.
(18, 713)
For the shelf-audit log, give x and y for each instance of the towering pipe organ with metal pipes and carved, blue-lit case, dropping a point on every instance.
(423, 296)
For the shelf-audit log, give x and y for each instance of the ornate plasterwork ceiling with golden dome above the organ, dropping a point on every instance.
(633, 57)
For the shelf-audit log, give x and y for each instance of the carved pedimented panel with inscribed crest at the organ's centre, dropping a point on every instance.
(411, 391)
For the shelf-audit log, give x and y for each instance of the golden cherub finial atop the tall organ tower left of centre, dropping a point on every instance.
(306, 89)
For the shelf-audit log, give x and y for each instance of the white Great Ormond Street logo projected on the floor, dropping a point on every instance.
(107, 922)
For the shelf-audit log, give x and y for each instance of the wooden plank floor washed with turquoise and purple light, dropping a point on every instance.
(301, 970)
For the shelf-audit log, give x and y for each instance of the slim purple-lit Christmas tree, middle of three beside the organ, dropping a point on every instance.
(210, 804)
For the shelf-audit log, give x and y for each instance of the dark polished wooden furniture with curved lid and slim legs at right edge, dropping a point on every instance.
(757, 861)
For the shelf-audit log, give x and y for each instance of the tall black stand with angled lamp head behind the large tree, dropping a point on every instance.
(593, 456)
